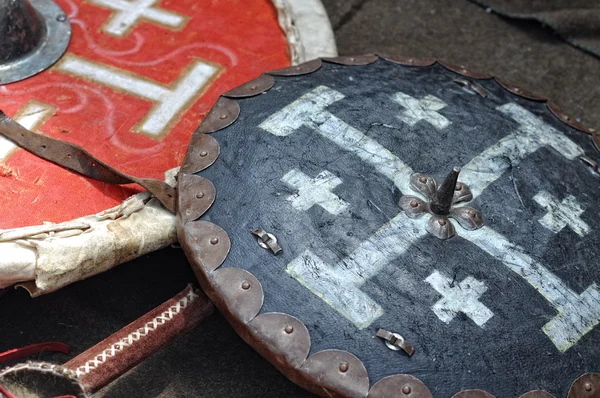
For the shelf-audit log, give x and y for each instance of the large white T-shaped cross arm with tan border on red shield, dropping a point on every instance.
(169, 101)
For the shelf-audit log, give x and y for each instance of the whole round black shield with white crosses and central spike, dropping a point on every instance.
(399, 228)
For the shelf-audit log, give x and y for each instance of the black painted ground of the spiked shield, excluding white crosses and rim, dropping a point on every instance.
(510, 354)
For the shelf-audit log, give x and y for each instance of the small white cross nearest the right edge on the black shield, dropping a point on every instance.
(561, 214)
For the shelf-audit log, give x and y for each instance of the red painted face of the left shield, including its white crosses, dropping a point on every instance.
(137, 78)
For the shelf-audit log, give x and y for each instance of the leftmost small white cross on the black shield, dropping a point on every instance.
(314, 191)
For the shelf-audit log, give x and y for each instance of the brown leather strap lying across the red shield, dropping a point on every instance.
(77, 159)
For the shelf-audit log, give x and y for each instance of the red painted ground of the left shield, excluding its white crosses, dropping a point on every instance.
(241, 36)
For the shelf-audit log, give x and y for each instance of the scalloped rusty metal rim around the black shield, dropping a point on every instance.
(278, 337)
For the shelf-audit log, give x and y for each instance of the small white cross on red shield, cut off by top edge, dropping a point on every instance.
(127, 13)
